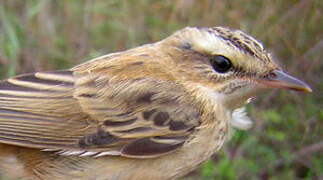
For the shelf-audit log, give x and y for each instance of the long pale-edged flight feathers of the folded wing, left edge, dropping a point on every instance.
(34, 107)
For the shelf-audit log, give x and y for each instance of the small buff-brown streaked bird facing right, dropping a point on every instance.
(157, 111)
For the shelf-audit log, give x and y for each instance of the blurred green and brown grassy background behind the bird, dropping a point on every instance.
(286, 141)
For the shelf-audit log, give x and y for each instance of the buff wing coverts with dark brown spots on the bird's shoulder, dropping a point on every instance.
(139, 112)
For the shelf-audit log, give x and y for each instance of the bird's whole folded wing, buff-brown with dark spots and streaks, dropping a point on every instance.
(93, 114)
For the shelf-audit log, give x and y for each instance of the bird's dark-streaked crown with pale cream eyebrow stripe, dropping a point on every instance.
(245, 52)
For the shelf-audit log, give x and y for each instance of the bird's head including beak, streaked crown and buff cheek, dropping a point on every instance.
(226, 64)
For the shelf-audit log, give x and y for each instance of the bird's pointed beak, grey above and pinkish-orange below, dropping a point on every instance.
(279, 79)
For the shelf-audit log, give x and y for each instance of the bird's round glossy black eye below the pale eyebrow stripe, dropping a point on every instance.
(220, 63)
